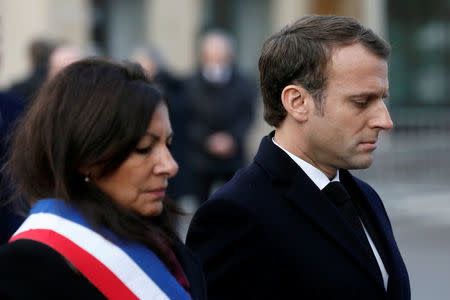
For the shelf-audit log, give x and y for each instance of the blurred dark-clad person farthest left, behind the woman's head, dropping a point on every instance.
(39, 53)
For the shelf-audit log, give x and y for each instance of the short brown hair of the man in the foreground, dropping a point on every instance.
(300, 53)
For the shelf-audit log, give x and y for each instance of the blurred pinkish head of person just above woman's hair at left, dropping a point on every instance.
(63, 55)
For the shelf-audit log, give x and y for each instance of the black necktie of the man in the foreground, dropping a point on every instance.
(339, 196)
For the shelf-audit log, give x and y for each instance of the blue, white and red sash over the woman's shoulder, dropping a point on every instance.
(119, 268)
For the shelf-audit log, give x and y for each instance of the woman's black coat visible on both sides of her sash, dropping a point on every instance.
(31, 270)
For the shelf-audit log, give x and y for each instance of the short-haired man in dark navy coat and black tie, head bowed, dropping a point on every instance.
(296, 224)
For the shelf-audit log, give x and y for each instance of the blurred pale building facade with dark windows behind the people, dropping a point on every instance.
(417, 30)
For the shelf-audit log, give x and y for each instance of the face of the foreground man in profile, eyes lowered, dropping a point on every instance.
(354, 113)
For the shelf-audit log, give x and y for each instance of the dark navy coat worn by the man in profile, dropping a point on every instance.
(270, 233)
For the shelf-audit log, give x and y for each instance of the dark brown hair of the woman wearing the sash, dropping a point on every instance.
(93, 113)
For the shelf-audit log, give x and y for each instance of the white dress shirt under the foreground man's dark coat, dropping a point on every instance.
(321, 180)
